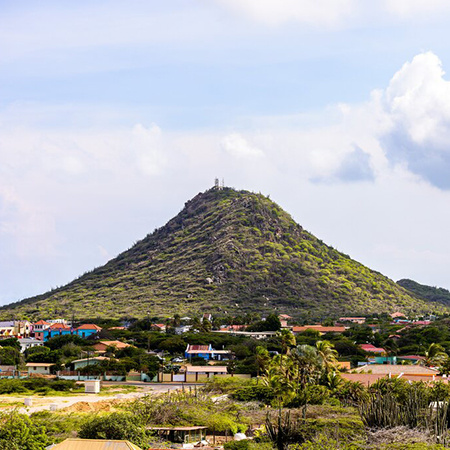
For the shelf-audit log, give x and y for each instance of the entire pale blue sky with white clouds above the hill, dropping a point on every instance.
(113, 114)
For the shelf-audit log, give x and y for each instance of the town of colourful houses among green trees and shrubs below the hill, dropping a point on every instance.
(245, 382)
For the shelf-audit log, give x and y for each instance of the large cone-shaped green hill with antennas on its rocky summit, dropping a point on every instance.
(231, 251)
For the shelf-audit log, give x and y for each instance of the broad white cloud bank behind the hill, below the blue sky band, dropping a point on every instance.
(73, 197)
